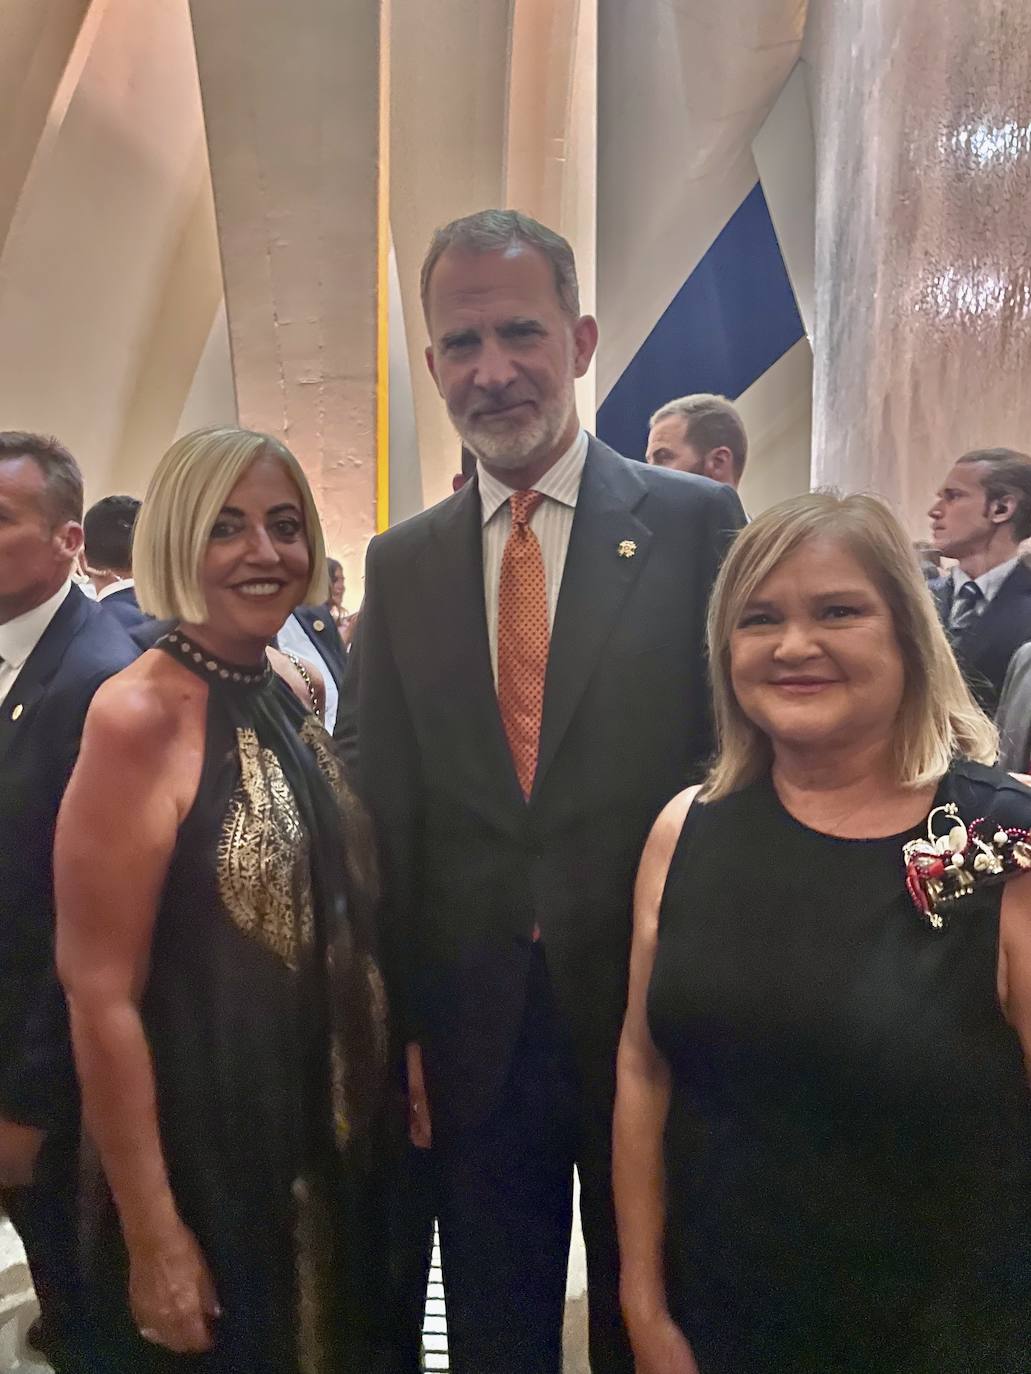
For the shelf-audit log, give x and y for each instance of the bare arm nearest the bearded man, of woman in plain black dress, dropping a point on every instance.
(643, 1104)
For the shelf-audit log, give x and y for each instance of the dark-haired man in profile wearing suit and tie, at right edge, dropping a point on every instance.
(981, 516)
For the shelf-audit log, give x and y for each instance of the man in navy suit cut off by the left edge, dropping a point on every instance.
(56, 651)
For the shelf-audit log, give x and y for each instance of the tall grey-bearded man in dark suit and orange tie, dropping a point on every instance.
(516, 745)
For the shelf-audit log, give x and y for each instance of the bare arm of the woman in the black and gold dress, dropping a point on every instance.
(135, 778)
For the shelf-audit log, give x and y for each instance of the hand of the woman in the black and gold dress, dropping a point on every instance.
(171, 1292)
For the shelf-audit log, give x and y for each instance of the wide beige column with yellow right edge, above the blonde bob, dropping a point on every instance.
(292, 108)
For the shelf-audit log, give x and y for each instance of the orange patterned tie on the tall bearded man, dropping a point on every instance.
(523, 638)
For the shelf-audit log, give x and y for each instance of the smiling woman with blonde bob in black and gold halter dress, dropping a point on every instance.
(226, 1012)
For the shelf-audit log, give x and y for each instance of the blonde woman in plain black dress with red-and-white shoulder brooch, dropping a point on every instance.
(823, 1158)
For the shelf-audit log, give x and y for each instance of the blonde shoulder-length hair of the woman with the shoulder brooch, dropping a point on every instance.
(938, 719)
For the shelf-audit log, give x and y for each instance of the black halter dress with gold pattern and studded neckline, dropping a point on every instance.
(265, 1019)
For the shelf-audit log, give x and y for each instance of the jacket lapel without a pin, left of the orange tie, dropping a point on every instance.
(458, 587)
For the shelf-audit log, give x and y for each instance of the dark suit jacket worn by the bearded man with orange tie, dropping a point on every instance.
(469, 866)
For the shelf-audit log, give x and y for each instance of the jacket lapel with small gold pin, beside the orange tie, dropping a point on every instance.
(608, 549)
